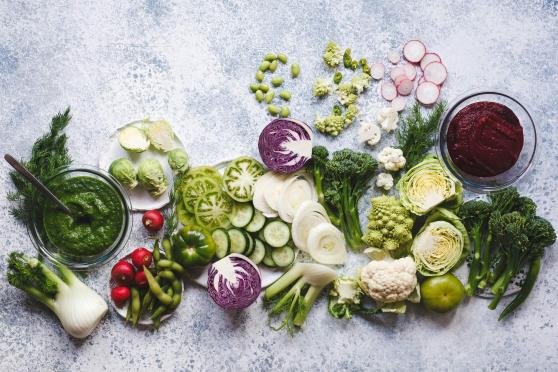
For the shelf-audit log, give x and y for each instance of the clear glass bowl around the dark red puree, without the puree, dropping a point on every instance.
(526, 157)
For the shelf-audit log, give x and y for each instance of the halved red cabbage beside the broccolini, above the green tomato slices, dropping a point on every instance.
(285, 145)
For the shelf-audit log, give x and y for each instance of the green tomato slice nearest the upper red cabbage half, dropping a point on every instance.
(240, 176)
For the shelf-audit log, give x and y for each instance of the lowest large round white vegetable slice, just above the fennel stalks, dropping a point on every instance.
(326, 245)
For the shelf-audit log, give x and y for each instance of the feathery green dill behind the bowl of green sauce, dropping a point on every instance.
(48, 154)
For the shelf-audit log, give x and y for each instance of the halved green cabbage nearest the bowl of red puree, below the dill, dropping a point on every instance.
(428, 185)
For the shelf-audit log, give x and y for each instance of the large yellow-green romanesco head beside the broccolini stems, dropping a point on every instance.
(389, 224)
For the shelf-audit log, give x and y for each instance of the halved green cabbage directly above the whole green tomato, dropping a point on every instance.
(441, 244)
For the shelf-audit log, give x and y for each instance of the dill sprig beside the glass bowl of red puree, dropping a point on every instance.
(416, 133)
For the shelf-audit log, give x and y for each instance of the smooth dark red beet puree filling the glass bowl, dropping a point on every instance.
(485, 139)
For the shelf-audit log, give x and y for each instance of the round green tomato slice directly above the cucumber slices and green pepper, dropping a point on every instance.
(213, 209)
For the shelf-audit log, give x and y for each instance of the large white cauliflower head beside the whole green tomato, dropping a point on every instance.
(389, 281)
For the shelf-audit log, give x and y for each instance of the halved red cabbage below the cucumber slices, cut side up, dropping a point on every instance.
(234, 282)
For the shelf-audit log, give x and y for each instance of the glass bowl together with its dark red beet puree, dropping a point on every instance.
(487, 140)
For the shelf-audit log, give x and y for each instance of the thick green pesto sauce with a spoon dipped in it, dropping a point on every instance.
(96, 220)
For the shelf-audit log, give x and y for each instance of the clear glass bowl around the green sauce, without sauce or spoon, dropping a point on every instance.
(74, 262)
